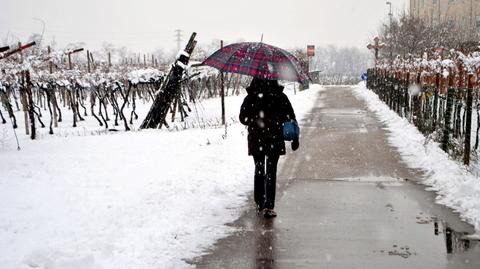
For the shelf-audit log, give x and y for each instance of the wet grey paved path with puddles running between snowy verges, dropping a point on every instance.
(345, 200)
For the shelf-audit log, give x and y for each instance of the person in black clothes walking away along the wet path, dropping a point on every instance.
(264, 111)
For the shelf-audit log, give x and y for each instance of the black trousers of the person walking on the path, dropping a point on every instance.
(265, 180)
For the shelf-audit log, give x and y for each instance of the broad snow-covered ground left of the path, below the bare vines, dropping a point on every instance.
(86, 199)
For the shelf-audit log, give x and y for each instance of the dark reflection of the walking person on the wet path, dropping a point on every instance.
(265, 244)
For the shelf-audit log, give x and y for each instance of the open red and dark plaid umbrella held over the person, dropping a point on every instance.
(258, 60)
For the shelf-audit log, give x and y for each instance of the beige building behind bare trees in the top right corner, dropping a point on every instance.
(459, 14)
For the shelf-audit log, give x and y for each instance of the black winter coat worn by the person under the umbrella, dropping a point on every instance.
(264, 111)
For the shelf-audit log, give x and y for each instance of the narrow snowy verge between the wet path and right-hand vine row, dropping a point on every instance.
(456, 187)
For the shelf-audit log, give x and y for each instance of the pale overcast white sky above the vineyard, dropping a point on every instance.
(143, 25)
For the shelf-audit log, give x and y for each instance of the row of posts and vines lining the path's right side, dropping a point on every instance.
(440, 105)
